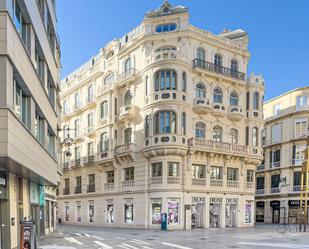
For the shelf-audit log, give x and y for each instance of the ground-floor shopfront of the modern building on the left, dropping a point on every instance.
(22, 200)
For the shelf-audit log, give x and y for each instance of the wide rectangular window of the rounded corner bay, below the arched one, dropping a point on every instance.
(165, 122)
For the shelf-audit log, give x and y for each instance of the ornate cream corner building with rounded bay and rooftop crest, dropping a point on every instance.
(164, 120)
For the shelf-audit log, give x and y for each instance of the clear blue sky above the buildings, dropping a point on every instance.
(278, 31)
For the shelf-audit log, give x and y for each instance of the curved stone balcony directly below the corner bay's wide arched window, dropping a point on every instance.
(166, 95)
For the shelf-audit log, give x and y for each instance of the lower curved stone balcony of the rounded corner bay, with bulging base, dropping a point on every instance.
(165, 144)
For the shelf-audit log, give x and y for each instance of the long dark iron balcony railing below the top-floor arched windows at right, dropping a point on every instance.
(217, 69)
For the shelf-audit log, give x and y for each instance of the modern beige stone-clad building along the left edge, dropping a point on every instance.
(29, 108)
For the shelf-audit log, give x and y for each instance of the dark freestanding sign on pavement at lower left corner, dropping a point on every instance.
(27, 235)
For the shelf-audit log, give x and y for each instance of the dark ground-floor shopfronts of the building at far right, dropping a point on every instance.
(280, 210)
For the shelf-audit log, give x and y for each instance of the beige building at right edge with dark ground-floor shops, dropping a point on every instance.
(278, 178)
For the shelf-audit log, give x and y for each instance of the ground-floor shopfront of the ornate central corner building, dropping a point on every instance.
(145, 210)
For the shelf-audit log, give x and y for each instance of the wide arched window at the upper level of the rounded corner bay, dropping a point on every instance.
(165, 80)
